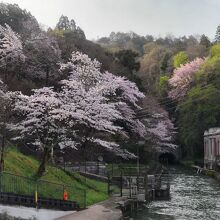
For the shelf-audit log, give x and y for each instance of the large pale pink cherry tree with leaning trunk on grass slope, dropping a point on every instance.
(88, 108)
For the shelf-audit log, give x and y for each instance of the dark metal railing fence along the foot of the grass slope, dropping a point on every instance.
(11, 183)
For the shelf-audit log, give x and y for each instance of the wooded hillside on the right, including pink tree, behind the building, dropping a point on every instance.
(183, 76)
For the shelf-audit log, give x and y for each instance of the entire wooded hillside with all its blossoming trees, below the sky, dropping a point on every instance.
(64, 96)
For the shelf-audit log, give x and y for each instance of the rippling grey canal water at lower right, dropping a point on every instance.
(192, 197)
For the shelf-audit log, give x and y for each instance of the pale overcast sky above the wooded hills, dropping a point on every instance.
(157, 17)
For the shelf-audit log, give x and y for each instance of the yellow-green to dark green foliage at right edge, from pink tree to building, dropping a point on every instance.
(201, 108)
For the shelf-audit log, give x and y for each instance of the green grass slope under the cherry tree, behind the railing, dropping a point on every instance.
(75, 184)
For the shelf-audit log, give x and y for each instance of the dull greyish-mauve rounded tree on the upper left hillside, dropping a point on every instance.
(43, 55)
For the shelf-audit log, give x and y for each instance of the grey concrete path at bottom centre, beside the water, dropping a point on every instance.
(107, 210)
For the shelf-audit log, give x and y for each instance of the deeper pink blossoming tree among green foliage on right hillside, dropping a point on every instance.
(182, 79)
